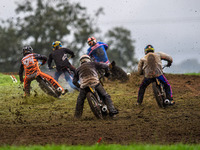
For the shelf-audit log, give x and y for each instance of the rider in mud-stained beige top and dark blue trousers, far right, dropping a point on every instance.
(151, 67)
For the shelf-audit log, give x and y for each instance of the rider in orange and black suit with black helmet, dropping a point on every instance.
(29, 63)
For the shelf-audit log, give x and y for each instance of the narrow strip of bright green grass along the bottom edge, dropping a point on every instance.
(105, 147)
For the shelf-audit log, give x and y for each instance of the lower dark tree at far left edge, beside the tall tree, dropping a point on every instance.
(10, 43)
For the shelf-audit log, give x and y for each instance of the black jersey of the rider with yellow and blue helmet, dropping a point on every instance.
(60, 58)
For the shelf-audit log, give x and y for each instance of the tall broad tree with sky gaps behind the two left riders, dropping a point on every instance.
(60, 20)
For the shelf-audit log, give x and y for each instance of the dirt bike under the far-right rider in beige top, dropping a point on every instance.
(159, 93)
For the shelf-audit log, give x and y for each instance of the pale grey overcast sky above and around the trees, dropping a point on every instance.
(171, 26)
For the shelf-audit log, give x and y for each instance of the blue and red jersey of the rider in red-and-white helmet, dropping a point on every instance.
(98, 52)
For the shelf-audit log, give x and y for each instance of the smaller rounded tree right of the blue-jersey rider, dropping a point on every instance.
(121, 47)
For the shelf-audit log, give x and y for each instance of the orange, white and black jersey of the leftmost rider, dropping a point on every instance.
(29, 63)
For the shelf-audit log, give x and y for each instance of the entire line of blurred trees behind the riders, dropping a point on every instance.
(39, 23)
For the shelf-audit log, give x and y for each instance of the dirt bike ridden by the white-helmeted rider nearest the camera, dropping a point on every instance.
(96, 103)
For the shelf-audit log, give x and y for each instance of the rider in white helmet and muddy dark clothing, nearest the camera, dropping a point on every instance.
(87, 75)
